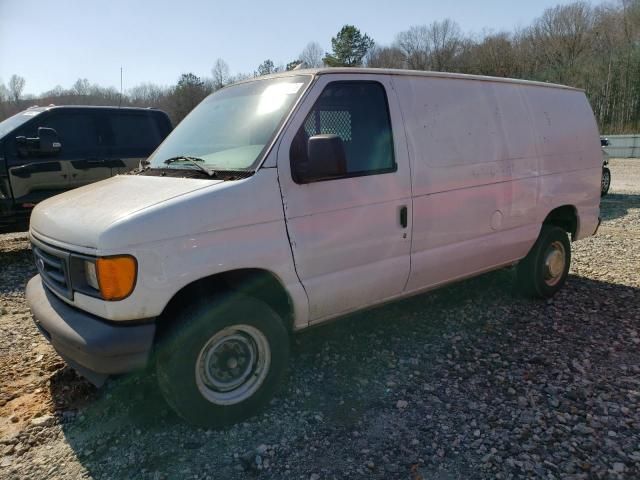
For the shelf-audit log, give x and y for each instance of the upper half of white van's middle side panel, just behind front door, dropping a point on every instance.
(465, 133)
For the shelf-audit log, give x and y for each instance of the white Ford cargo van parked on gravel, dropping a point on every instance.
(288, 200)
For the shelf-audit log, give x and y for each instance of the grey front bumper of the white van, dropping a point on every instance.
(94, 347)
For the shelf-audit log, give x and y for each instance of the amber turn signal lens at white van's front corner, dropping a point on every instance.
(116, 276)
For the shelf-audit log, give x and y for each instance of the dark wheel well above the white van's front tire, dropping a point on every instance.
(256, 283)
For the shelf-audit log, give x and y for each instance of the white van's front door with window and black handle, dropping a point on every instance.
(350, 233)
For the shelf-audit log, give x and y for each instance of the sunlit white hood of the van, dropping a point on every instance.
(79, 216)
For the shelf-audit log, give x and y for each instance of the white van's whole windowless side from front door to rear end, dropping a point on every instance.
(479, 153)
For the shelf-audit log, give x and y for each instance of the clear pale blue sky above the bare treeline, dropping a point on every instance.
(52, 43)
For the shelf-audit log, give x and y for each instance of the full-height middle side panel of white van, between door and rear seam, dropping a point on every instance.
(474, 176)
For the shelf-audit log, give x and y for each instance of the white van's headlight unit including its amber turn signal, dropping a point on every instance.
(110, 278)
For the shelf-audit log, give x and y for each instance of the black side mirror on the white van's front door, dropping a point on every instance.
(326, 159)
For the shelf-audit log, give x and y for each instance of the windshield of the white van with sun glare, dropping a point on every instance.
(232, 128)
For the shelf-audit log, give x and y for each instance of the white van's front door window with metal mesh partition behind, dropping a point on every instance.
(358, 113)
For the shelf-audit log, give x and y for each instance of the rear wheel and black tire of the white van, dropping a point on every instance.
(539, 274)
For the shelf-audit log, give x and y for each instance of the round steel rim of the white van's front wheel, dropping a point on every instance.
(233, 364)
